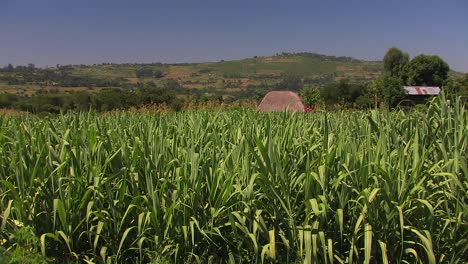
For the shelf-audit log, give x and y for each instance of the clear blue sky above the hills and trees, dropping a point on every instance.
(51, 32)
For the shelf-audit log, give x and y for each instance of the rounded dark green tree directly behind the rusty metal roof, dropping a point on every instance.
(427, 70)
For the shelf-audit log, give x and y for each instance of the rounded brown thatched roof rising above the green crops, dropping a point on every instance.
(280, 101)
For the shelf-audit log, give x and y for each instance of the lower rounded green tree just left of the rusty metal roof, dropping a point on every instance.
(389, 90)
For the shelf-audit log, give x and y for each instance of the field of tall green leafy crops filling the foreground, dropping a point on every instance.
(238, 187)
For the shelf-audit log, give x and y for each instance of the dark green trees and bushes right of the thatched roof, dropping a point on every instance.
(387, 90)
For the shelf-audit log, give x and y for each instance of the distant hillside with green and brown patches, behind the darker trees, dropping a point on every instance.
(202, 75)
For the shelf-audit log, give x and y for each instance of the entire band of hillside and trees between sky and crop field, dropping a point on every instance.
(340, 82)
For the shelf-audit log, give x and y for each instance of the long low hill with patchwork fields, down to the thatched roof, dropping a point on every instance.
(236, 79)
